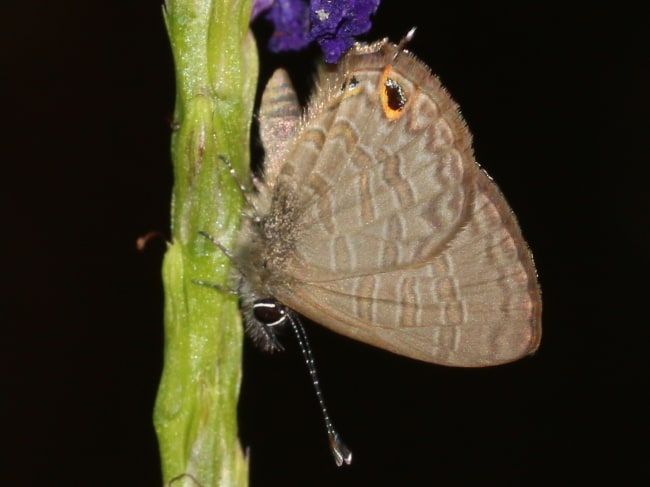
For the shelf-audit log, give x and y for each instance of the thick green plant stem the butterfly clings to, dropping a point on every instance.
(216, 74)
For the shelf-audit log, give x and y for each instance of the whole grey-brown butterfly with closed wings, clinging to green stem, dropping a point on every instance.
(375, 220)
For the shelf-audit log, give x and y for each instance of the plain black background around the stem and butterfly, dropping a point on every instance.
(554, 99)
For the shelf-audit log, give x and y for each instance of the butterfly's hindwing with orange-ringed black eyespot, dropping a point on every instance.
(376, 193)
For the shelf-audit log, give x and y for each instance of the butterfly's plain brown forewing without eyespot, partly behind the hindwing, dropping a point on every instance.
(477, 303)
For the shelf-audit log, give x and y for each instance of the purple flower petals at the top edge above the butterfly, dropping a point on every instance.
(331, 23)
